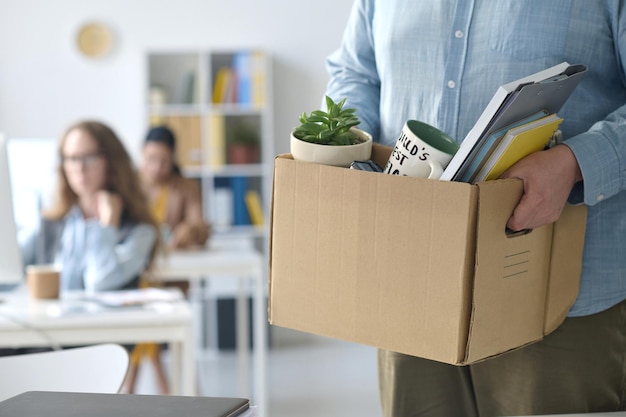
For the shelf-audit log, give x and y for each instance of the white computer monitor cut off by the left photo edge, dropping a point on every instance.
(11, 268)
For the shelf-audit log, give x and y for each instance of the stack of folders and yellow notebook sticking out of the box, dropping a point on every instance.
(521, 118)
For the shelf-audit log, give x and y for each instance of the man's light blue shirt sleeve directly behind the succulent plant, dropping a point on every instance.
(352, 69)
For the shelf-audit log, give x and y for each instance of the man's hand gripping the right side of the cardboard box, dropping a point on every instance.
(548, 178)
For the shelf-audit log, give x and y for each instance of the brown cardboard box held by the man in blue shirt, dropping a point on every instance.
(417, 266)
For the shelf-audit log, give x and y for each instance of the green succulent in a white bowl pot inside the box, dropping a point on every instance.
(330, 137)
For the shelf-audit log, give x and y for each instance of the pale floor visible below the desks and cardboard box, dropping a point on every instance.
(308, 376)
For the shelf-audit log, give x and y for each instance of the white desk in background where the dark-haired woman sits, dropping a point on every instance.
(246, 264)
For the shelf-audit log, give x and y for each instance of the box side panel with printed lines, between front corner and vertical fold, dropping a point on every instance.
(510, 276)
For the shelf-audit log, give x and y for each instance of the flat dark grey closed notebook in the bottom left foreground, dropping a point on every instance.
(69, 404)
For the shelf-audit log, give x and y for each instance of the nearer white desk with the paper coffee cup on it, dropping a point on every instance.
(72, 320)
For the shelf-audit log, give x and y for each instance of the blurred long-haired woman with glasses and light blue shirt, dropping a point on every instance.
(99, 229)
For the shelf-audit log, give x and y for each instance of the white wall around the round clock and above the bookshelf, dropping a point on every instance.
(45, 84)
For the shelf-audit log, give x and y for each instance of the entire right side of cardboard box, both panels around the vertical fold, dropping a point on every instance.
(513, 305)
